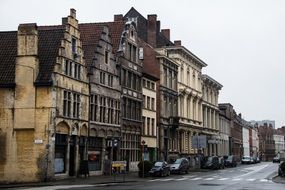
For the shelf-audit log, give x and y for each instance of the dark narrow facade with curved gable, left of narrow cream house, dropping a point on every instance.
(131, 79)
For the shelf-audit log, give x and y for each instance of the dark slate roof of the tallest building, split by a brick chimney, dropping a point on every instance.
(161, 40)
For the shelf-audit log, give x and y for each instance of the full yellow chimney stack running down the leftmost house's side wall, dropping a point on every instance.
(26, 71)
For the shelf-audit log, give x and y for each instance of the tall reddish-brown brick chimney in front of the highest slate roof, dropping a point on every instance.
(151, 30)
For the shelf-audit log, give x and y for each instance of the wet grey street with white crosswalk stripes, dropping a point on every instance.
(243, 177)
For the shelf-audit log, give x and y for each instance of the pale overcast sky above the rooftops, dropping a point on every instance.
(242, 41)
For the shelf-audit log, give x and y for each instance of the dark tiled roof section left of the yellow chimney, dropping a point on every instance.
(8, 53)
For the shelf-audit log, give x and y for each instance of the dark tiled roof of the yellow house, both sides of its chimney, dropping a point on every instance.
(49, 40)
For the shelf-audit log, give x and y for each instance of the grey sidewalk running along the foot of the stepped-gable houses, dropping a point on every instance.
(120, 178)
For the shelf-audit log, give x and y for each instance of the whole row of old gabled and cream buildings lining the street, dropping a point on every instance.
(99, 91)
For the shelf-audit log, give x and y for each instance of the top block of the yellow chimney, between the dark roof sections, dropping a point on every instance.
(28, 39)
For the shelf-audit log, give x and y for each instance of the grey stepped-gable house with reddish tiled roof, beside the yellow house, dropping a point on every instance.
(105, 95)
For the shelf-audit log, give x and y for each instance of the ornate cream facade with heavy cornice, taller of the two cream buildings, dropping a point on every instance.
(189, 89)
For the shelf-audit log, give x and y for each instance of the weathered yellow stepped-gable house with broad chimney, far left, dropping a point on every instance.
(45, 115)
